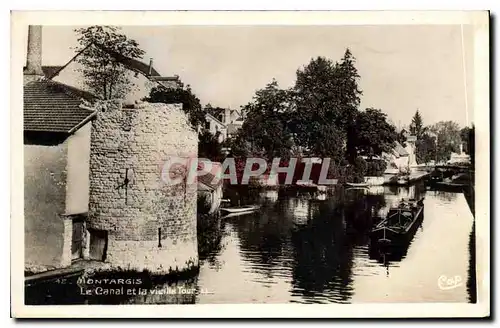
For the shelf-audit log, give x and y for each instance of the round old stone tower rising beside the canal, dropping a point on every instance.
(150, 224)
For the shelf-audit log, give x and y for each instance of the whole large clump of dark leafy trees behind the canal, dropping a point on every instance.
(318, 116)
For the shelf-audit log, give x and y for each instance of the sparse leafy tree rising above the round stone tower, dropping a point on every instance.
(103, 74)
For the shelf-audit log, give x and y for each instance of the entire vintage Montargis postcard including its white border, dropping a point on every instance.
(252, 164)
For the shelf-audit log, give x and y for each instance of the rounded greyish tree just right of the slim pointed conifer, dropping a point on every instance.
(448, 138)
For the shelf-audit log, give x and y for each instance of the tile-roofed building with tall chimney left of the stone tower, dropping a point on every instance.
(57, 122)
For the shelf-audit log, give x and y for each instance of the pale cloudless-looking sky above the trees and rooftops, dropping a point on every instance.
(402, 68)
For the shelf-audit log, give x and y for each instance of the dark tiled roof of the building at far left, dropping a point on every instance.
(54, 107)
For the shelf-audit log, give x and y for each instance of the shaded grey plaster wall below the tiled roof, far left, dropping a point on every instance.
(44, 205)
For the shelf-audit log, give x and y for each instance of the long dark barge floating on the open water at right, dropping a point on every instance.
(400, 224)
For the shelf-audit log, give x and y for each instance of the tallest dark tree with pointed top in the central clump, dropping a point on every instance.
(326, 98)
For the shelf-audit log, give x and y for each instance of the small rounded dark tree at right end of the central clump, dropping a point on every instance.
(374, 134)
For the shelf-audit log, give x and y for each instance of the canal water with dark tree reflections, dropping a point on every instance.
(308, 248)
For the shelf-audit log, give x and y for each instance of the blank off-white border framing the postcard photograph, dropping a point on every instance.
(480, 19)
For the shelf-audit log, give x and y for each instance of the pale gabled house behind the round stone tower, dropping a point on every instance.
(143, 76)
